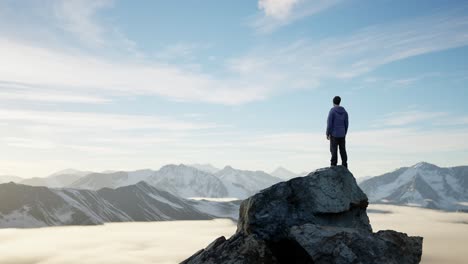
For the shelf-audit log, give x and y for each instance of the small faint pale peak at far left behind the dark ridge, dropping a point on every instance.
(59, 179)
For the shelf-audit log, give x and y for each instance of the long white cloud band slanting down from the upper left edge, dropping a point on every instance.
(87, 73)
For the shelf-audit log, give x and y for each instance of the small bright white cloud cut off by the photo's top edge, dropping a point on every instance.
(277, 13)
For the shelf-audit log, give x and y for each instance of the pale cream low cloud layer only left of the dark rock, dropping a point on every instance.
(137, 243)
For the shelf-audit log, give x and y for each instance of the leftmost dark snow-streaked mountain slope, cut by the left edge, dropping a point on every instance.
(35, 206)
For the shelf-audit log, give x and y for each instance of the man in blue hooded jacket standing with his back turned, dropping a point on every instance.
(337, 127)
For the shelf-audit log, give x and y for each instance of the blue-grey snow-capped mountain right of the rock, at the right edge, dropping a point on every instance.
(423, 184)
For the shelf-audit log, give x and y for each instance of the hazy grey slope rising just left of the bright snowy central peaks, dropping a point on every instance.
(96, 181)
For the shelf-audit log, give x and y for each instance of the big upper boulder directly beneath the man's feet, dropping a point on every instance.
(325, 197)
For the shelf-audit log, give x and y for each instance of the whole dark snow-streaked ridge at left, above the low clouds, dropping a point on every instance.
(36, 206)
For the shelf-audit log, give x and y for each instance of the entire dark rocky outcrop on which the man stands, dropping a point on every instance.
(319, 218)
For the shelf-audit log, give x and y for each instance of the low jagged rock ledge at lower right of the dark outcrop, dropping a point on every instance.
(327, 244)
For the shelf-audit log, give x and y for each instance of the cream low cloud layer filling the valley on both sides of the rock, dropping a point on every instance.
(445, 236)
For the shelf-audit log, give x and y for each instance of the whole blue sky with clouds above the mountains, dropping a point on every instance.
(99, 85)
